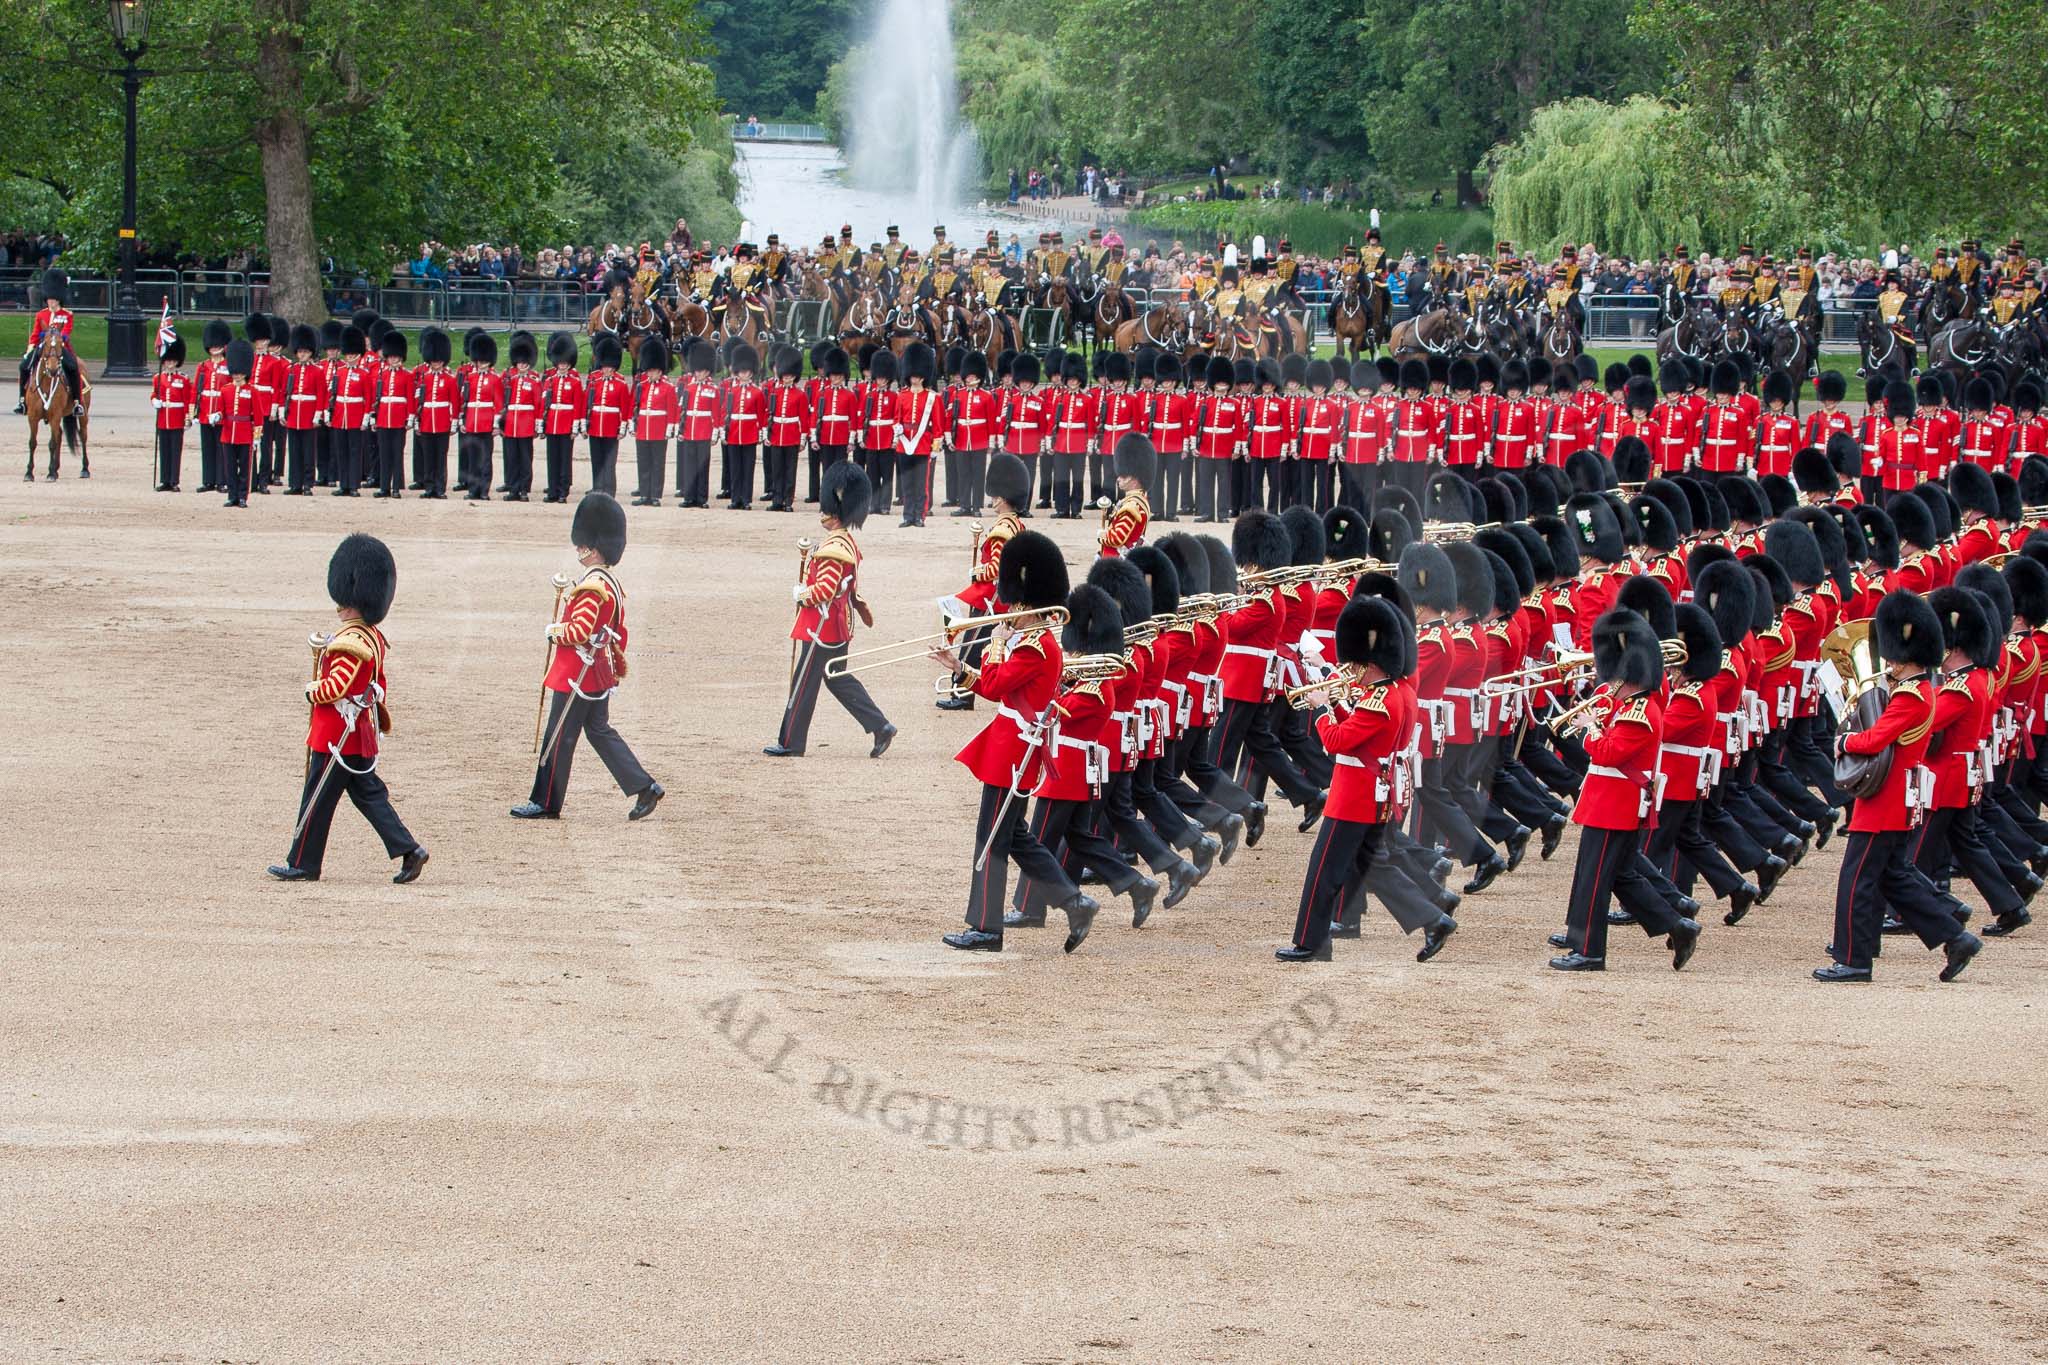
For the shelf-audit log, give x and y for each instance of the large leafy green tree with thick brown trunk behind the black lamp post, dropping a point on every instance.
(302, 128)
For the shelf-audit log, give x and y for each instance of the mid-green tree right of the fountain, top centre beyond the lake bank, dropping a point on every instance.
(1166, 83)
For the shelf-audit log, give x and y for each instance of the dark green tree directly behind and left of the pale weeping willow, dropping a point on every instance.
(1459, 77)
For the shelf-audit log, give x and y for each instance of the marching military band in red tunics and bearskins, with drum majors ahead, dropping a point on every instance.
(1150, 725)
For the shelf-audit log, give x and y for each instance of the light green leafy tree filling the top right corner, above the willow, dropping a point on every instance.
(1895, 114)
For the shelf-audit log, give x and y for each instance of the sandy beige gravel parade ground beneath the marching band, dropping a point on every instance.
(710, 1088)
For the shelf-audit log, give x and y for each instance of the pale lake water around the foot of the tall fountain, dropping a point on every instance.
(802, 193)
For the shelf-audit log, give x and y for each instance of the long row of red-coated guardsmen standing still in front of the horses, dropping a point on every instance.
(337, 408)
